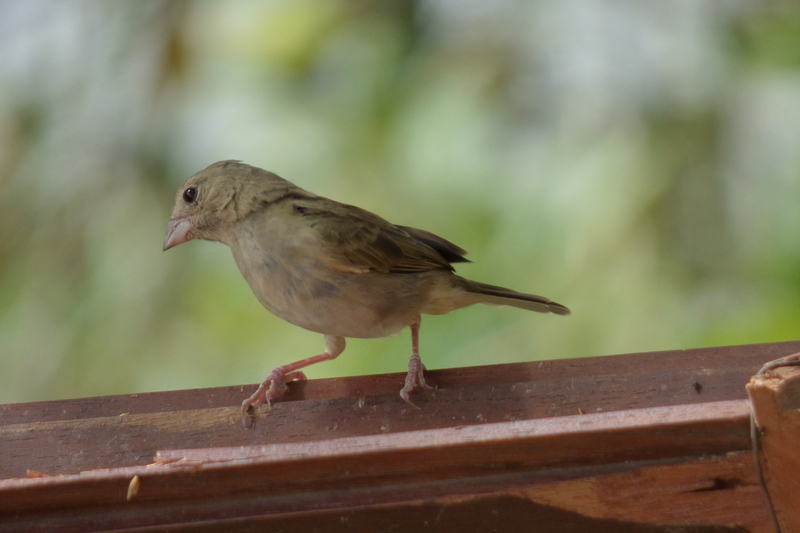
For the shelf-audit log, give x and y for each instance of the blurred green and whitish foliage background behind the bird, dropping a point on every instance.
(636, 161)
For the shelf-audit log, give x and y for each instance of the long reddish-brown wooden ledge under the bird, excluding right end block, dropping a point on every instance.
(639, 442)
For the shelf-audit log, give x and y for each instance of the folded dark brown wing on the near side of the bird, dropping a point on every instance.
(359, 241)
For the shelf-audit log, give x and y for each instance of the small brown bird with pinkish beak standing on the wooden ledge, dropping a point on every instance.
(329, 267)
